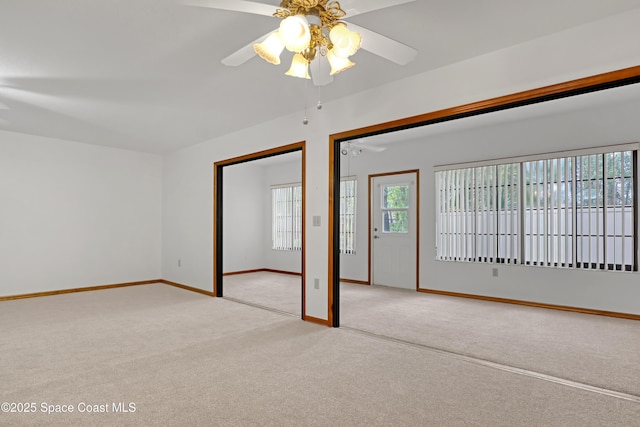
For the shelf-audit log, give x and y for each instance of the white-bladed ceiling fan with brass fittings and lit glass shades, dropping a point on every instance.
(316, 32)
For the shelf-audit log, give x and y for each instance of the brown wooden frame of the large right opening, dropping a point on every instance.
(579, 86)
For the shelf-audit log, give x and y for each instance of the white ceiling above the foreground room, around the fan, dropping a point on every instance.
(146, 74)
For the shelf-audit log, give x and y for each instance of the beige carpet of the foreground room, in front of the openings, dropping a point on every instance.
(180, 358)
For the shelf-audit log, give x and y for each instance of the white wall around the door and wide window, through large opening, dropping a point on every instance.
(606, 125)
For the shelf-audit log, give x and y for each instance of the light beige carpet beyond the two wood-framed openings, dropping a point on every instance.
(596, 350)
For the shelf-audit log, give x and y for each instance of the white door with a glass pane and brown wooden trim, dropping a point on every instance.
(394, 230)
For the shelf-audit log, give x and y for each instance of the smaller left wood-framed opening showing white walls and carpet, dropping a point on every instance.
(239, 225)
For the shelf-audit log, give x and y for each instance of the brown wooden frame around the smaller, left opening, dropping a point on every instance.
(218, 167)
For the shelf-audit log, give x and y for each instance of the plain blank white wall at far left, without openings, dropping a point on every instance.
(75, 215)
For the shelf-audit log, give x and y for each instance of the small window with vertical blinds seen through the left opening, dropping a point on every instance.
(286, 204)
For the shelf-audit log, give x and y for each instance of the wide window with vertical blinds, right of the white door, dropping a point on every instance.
(574, 211)
